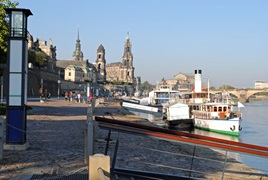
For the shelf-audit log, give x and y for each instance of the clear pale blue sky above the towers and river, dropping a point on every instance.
(227, 39)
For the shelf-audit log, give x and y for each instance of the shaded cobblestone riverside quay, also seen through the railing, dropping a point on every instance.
(56, 134)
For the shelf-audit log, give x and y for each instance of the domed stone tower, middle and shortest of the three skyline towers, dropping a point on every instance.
(101, 63)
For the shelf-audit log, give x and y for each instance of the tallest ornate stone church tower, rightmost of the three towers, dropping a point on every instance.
(127, 71)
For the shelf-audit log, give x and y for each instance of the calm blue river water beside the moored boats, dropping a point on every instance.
(255, 131)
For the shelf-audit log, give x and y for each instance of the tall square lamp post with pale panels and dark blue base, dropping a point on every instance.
(17, 79)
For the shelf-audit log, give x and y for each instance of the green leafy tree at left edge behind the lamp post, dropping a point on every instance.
(4, 29)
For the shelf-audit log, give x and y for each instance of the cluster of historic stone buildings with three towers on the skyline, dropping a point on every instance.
(114, 76)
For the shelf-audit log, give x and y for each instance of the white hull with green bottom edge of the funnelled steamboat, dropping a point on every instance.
(223, 126)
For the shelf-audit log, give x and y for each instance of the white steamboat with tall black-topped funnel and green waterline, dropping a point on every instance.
(217, 115)
